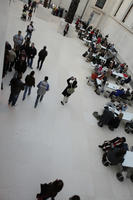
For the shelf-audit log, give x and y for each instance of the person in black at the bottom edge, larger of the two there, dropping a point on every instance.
(50, 190)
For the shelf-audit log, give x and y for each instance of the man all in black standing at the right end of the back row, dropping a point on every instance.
(41, 57)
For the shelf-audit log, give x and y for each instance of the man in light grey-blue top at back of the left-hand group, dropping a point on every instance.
(18, 41)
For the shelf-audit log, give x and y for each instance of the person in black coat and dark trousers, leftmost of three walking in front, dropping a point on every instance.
(16, 86)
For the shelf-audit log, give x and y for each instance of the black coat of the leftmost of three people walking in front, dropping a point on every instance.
(16, 86)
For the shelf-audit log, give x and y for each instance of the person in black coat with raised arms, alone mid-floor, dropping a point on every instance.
(70, 89)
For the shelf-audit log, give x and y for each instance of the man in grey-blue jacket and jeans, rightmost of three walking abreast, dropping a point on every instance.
(43, 87)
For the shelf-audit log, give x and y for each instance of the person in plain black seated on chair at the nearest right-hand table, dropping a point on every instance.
(113, 157)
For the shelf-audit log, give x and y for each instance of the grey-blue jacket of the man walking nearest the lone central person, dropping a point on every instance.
(43, 86)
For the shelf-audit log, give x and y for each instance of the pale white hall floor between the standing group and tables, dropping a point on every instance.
(53, 141)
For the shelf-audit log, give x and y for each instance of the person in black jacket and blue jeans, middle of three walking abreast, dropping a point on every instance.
(29, 82)
